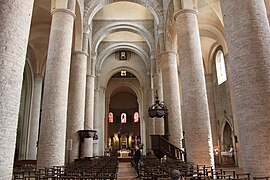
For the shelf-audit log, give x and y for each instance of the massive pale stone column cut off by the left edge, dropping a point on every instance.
(13, 13)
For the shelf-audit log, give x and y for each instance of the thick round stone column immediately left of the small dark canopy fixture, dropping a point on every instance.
(76, 101)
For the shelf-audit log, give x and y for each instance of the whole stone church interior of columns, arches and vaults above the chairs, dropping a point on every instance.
(69, 64)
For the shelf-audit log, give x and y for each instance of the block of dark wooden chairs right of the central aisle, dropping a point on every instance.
(153, 168)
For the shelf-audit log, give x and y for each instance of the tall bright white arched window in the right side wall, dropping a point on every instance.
(220, 67)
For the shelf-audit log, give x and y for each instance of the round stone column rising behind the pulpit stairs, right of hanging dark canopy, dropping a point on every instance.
(172, 96)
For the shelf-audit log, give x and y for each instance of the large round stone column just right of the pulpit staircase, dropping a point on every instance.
(196, 121)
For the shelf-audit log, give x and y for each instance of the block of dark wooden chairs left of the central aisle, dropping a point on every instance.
(104, 168)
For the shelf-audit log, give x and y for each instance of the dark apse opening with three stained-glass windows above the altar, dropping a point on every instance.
(123, 120)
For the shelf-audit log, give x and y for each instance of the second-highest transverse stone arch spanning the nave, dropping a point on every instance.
(120, 26)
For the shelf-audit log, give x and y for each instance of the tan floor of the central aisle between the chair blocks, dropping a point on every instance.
(126, 172)
